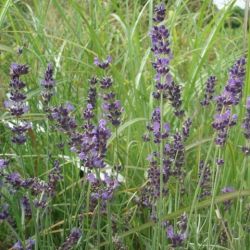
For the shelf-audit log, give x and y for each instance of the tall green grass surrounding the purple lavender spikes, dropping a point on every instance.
(70, 34)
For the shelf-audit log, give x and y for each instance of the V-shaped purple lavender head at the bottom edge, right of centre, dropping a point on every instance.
(177, 239)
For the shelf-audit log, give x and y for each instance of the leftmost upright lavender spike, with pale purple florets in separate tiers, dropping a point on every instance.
(17, 102)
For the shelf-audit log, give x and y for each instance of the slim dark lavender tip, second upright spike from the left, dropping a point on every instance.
(48, 84)
